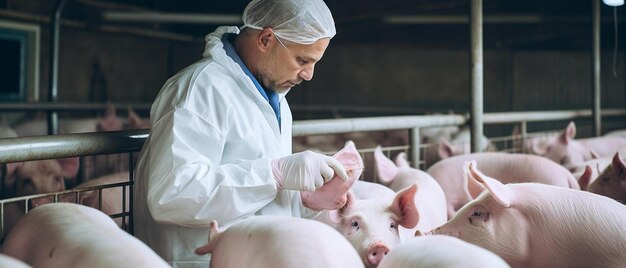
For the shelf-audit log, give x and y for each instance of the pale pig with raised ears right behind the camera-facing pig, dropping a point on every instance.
(429, 198)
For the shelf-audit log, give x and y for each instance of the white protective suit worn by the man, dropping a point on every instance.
(208, 157)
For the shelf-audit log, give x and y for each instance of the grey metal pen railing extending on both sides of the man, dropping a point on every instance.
(85, 144)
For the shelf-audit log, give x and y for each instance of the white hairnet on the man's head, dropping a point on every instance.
(300, 21)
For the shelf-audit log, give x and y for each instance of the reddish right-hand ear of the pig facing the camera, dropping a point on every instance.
(404, 206)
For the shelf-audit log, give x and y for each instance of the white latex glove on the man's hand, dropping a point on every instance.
(306, 171)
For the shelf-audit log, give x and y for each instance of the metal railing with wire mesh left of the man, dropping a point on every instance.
(72, 145)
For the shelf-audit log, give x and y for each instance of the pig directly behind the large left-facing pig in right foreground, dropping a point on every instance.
(506, 167)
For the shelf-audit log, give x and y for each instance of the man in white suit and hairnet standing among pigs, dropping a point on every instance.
(220, 144)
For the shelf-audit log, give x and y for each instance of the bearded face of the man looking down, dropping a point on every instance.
(287, 65)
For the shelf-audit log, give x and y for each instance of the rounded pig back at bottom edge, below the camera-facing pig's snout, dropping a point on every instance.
(440, 251)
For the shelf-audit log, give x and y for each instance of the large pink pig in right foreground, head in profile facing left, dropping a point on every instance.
(539, 225)
